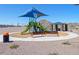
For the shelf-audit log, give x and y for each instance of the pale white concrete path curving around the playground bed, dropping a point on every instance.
(69, 36)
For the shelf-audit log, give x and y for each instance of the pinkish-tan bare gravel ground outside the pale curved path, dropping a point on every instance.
(70, 47)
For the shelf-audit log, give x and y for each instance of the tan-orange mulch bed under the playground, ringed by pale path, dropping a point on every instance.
(47, 34)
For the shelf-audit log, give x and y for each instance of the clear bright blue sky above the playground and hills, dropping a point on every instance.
(9, 13)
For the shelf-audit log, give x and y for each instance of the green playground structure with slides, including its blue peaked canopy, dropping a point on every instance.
(33, 15)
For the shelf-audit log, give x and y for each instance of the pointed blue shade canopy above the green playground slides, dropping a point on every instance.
(34, 13)
